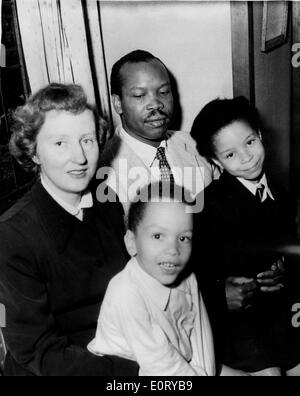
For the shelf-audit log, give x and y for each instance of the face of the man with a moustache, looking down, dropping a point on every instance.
(146, 104)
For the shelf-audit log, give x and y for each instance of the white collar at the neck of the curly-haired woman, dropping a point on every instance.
(85, 202)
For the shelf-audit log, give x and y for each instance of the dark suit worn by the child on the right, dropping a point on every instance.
(242, 237)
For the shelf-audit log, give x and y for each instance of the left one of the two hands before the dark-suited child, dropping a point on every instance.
(239, 293)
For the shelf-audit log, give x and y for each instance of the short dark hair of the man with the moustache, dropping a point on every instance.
(136, 56)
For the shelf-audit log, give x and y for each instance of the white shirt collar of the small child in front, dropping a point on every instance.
(159, 293)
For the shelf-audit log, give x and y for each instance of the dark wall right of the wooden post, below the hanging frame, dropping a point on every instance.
(272, 73)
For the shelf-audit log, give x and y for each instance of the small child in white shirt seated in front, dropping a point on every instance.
(152, 312)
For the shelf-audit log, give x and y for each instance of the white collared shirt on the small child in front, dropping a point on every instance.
(165, 330)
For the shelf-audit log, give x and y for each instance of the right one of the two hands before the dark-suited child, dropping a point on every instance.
(272, 281)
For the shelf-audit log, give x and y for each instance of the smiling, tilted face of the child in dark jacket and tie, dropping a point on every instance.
(239, 150)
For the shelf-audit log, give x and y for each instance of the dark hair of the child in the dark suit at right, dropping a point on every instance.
(218, 114)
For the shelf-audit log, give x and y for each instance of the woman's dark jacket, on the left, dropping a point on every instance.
(54, 271)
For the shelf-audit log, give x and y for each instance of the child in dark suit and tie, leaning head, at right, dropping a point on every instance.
(246, 220)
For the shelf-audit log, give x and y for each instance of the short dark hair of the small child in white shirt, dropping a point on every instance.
(156, 192)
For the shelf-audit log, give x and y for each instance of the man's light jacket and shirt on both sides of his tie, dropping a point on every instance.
(129, 164)
